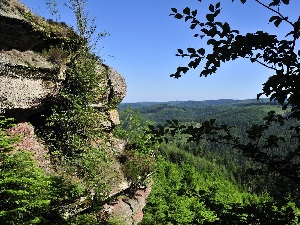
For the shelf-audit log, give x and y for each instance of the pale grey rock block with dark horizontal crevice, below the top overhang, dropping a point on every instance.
(27, 82)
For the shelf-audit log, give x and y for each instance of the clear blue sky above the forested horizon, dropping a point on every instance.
(144, 39)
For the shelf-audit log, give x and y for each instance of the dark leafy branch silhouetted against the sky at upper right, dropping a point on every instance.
(260, 47)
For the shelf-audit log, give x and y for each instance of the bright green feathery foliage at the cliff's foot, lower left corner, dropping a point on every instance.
(28, 195)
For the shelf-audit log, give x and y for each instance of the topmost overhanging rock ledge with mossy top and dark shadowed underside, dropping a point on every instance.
(22, 30)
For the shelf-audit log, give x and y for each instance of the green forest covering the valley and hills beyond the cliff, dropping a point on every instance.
(208, 182)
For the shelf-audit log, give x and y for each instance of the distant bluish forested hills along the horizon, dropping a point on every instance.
(243, 111)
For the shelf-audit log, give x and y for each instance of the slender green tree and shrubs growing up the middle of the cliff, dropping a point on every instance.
(72, 131)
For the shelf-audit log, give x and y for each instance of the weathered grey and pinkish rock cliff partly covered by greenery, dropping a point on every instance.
(32, 71)
